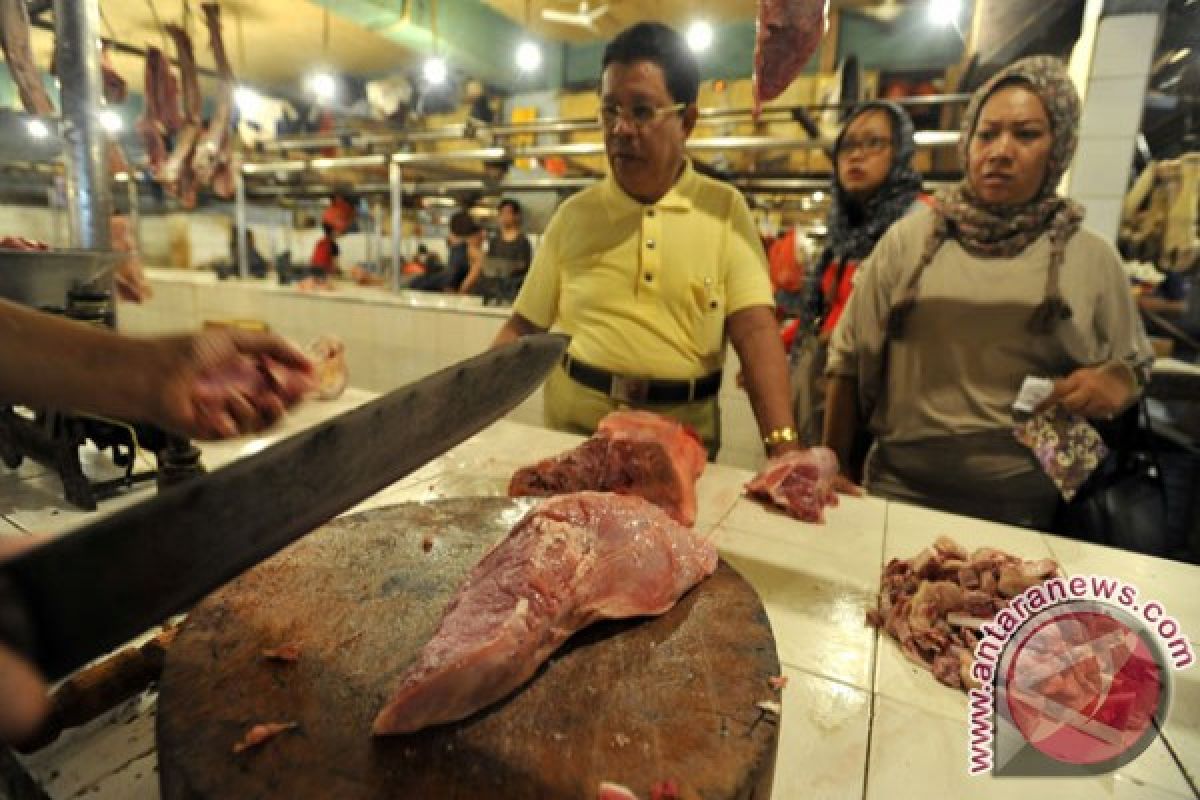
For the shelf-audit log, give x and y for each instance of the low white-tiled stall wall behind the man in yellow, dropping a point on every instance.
(388, 344)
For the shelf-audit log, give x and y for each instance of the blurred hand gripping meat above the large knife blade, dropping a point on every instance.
(229, 383)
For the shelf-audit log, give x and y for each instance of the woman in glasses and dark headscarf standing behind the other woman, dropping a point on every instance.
(874, 185)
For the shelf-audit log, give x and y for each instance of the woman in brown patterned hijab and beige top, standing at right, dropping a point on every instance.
(959, 304)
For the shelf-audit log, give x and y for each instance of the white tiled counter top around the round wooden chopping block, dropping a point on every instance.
(860, 720)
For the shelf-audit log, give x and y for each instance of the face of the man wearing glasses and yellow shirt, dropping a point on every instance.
(645, 157)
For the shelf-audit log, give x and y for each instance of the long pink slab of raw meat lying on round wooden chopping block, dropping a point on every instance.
(572, 562)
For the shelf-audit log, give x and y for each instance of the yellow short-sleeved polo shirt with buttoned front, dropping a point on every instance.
(645, 290)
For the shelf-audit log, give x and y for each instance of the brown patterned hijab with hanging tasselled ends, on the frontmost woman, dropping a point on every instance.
(1004, 232)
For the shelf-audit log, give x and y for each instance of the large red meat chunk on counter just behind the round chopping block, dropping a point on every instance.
(633, 453)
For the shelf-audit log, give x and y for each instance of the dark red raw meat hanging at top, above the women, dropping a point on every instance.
(787, 38)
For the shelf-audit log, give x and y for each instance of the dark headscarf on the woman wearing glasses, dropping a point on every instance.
(854, 228)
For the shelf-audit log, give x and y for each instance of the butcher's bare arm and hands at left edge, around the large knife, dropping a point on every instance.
(185, 384)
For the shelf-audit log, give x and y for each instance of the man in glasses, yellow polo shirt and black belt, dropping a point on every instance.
(651, 269)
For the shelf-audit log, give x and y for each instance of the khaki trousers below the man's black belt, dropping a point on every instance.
(574, 408)
